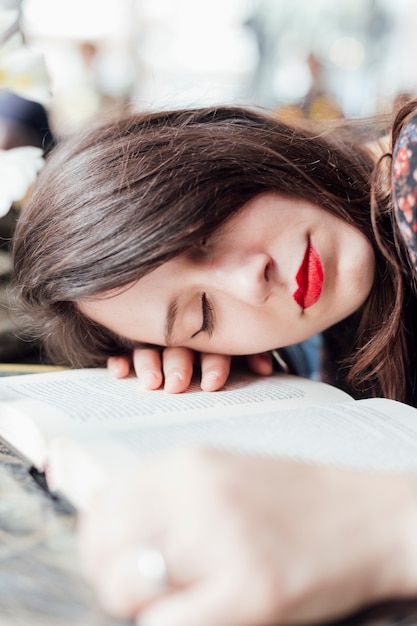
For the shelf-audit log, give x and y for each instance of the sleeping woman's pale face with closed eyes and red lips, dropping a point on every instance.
(278, 272)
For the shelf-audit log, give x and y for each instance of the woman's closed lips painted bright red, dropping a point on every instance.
(309, 279)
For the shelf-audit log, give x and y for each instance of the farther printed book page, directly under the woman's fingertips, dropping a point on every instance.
(93, 397)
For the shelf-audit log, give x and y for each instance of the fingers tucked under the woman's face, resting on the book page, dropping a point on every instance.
(173, 367)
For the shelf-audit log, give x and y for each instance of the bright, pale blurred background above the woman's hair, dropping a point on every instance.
(319, 58)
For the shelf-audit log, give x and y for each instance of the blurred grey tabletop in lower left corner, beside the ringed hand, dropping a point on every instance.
(40, 578)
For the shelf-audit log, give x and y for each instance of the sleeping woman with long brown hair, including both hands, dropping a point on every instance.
(220, 232)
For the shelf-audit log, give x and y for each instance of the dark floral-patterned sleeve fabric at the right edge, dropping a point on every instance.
(404, 172)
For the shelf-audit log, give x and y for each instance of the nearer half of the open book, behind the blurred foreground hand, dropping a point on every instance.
(369, 434)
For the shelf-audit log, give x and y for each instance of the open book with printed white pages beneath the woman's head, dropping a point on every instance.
(78, 426)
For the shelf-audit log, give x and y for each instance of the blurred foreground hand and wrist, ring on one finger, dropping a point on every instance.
(250, 541)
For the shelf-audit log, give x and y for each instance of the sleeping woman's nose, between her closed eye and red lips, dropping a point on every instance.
(248, 278)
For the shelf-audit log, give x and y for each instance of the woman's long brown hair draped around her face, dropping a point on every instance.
(122, 198)
